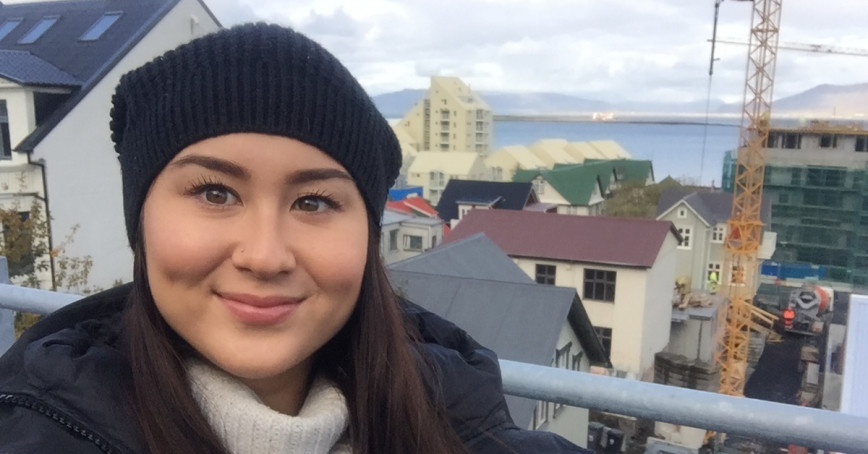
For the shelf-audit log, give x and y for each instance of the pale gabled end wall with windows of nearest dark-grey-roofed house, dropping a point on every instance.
(569, 422)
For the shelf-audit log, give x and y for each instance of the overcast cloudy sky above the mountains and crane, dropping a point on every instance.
(640, 50)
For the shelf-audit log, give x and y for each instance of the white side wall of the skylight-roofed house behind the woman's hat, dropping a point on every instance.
(84, 180)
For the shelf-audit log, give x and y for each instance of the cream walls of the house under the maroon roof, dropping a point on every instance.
(634, 340)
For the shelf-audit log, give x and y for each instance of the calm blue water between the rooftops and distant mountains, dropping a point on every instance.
(674, 149)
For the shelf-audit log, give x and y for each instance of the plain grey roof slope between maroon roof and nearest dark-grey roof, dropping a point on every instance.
(475, 257)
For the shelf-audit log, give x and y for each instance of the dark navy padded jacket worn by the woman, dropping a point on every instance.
(65, 386)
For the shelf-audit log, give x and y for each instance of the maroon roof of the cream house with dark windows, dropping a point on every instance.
(588, 239)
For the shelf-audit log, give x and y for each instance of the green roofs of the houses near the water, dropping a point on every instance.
(575, 182)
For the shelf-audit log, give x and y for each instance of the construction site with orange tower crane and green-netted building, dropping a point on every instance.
(774, 329)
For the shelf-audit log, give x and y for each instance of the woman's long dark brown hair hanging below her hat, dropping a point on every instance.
(373, 360)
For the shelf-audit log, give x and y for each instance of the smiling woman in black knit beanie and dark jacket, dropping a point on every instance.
(260, 319)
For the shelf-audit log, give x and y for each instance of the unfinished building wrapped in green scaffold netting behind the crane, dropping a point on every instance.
(816, 180)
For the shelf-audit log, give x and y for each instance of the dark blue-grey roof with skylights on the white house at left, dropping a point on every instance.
(60, 47)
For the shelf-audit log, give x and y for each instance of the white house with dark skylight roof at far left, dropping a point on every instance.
(59, 65)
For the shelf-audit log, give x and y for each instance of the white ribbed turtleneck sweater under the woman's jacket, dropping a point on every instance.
(248, 426)
